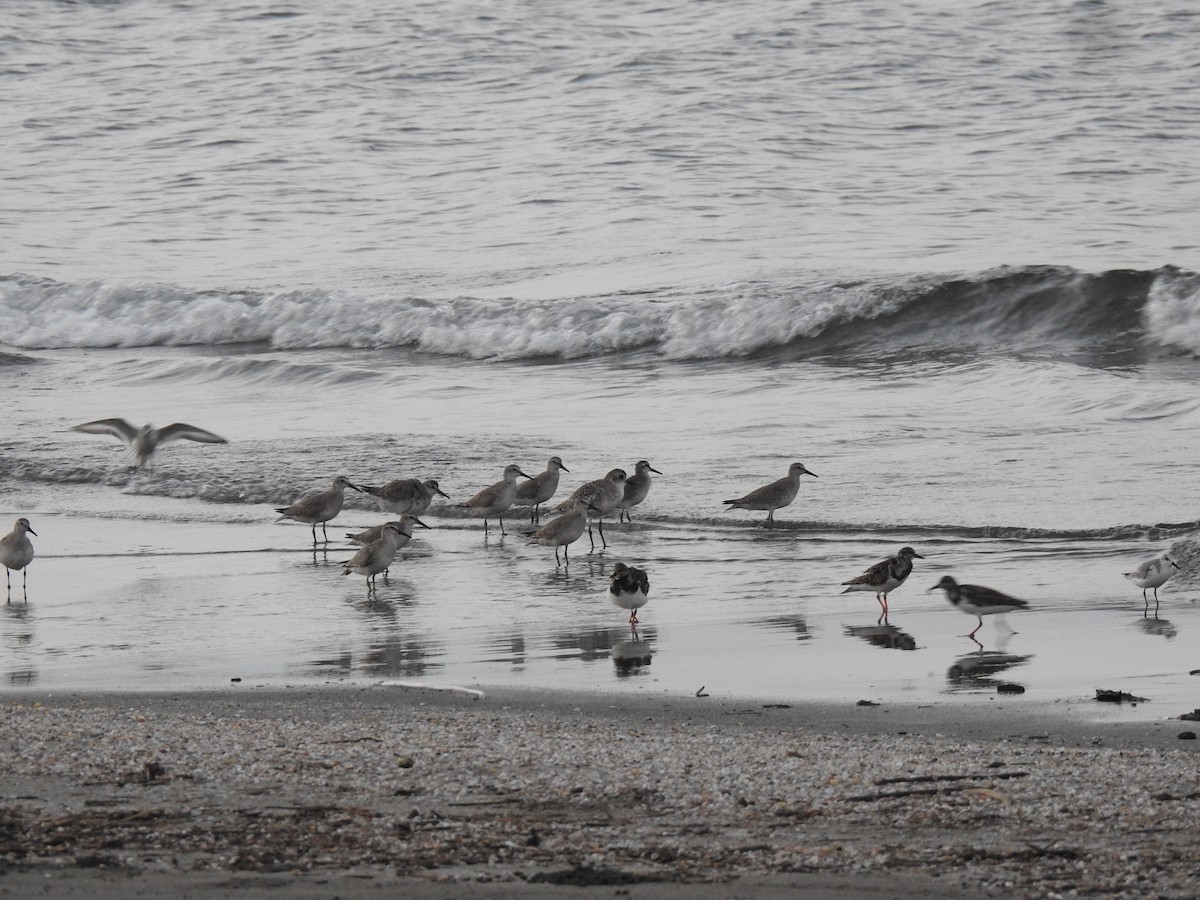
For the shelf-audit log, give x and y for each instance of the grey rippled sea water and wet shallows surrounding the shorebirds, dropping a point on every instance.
(945, 255)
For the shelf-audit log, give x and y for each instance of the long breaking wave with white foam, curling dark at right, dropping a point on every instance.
(1009, 310)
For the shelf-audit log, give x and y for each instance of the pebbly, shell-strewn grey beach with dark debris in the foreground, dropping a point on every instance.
(393, 791)
